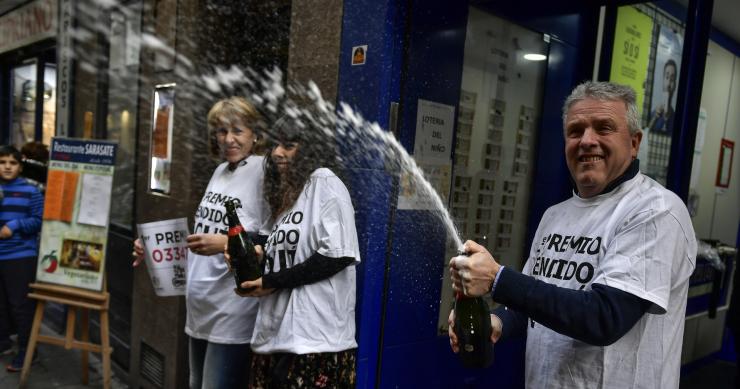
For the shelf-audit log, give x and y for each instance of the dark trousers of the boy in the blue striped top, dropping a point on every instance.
(16, 309)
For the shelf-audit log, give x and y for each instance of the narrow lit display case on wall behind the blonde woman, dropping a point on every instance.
(160, 152)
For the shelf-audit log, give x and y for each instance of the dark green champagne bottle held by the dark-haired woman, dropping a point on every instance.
(244, 263)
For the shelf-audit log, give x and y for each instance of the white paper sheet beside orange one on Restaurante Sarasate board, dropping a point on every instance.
(95, 201)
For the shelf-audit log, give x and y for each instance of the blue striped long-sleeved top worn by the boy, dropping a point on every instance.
(21, 208)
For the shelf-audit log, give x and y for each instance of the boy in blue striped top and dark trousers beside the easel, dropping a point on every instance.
(21, 208)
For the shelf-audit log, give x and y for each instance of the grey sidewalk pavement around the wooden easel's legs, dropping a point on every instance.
(57, 368)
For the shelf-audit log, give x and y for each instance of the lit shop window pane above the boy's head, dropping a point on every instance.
(23, 84)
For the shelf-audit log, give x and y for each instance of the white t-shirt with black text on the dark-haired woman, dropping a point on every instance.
(318, 317)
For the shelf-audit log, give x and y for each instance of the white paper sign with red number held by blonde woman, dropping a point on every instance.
(166, 255)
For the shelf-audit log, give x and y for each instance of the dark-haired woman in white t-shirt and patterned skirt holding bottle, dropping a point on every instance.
(305, 330)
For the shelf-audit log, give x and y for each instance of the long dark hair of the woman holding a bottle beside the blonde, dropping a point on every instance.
(315, 150)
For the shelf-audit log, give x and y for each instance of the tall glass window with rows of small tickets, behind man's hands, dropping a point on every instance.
(497, 123)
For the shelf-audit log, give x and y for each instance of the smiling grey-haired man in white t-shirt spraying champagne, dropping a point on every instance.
(602, 296)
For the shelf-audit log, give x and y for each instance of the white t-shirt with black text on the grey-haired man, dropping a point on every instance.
(637, 238)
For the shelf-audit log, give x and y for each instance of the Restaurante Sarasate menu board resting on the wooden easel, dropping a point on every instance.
(74, 230)
